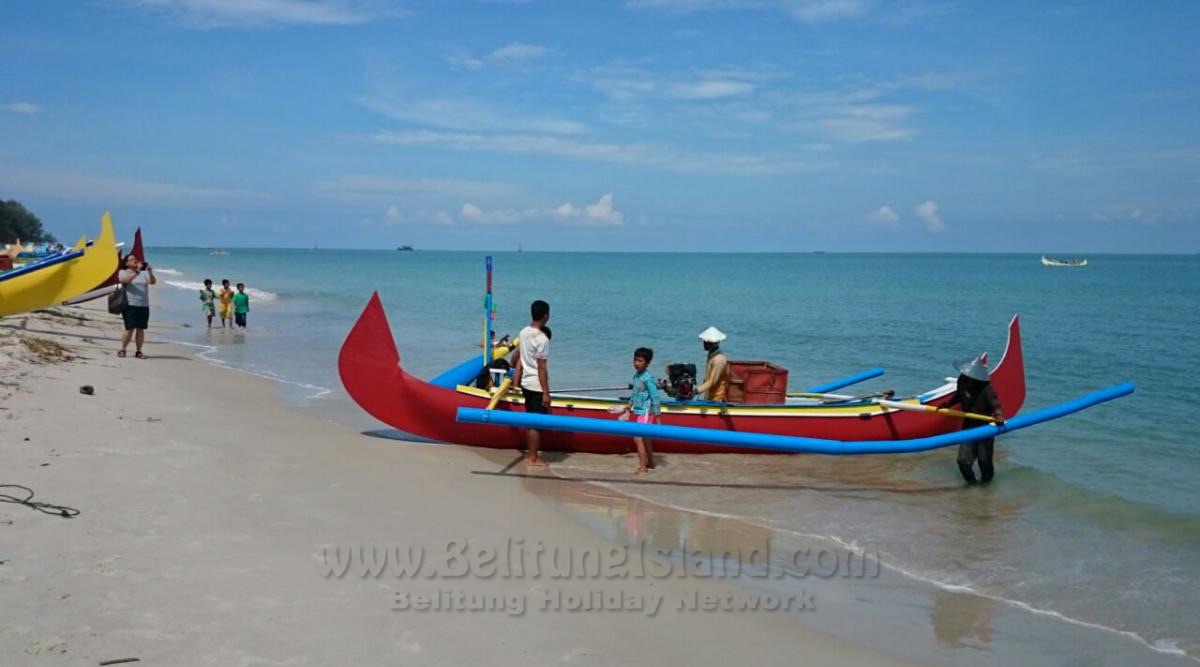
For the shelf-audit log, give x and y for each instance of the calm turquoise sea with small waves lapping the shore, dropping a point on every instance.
(1093, 524)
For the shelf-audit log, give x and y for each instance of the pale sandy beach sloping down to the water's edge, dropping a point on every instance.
(207, 510)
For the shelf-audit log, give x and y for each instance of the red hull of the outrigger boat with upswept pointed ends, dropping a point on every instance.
(370, 369)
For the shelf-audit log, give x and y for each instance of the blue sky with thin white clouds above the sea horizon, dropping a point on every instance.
(621, 125)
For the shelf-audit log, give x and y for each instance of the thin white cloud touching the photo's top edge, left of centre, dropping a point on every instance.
(251, 14)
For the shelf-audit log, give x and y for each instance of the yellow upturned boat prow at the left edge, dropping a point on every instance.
(67, 280)
